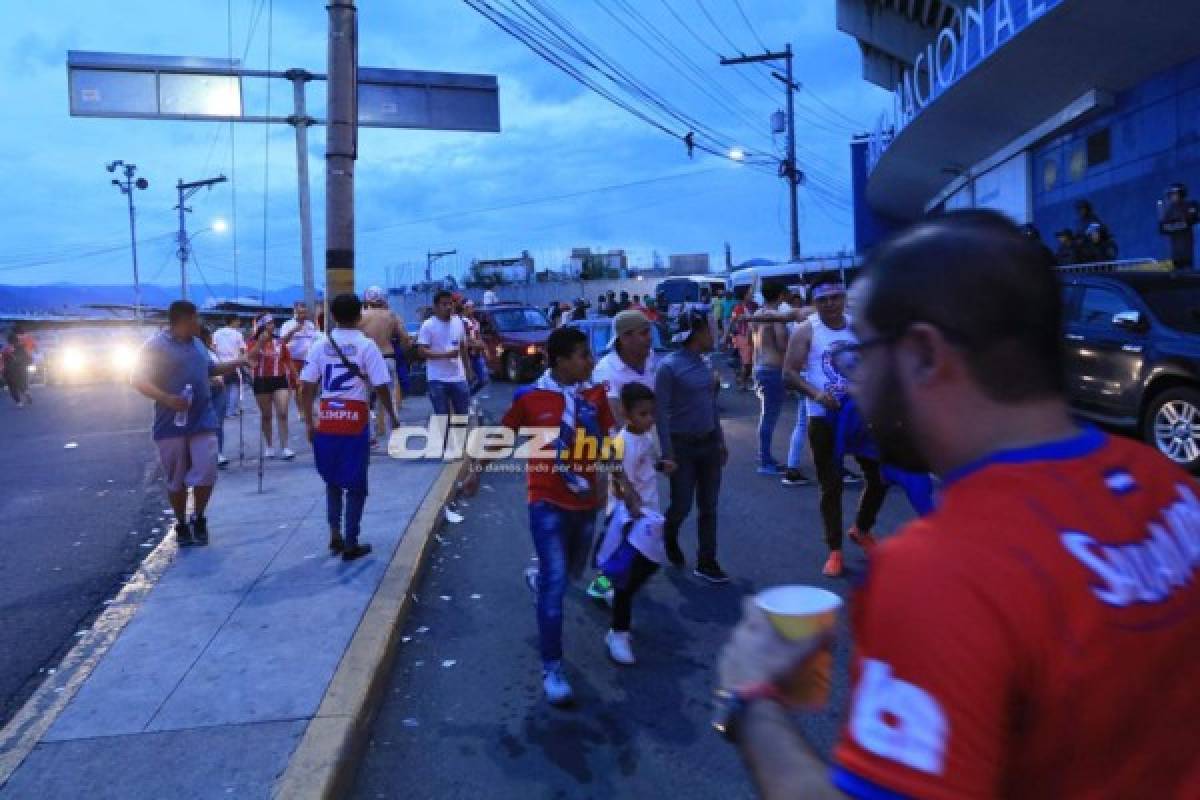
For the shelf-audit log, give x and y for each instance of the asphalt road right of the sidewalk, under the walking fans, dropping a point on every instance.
(465, 717)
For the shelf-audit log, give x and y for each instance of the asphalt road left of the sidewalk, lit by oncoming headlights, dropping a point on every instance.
(74, 521)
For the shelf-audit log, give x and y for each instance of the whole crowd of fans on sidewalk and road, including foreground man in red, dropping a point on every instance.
(1055, 570)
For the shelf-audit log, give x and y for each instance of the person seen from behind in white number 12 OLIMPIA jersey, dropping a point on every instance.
(347, 365)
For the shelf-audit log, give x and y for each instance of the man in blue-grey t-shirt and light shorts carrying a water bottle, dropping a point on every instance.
(173, 371)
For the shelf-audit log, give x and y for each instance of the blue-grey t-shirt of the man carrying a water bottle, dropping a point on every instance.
(171, 365)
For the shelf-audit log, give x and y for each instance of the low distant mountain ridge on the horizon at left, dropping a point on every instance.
(70, 297)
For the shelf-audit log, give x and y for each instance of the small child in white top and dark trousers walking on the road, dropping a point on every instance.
(633, 548)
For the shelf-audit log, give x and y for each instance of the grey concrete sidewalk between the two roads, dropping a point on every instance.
(224, 664)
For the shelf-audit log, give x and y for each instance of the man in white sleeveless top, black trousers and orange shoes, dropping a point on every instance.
(812, 366)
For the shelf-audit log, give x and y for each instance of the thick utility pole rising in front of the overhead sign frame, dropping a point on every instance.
(341, 148)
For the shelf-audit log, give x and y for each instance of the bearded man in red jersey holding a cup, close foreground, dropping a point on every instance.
(1037, 635)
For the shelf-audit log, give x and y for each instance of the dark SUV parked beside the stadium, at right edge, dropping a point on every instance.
(1133, 356)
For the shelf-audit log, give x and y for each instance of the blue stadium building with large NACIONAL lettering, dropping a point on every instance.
(1029, 107)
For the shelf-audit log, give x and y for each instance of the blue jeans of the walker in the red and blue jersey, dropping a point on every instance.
(563, 540)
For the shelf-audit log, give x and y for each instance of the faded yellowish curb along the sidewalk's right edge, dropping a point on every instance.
(326, 762)
